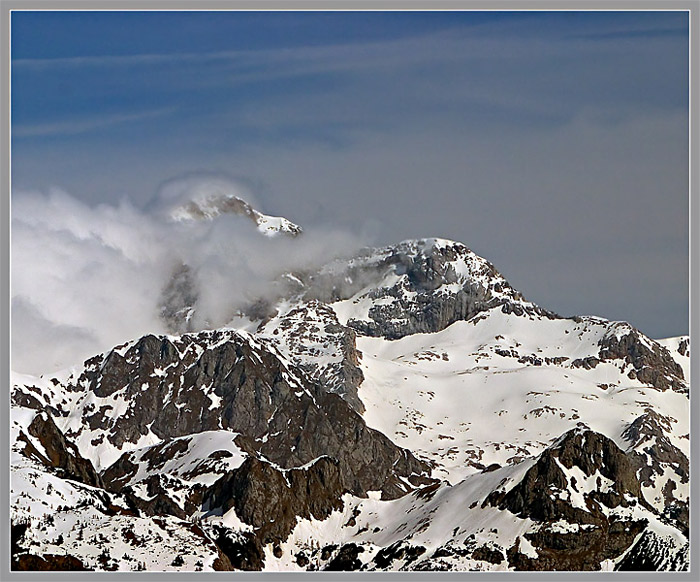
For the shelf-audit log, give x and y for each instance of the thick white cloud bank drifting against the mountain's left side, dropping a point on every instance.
(87, 278)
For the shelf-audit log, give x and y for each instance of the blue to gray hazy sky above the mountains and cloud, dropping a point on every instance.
(552, 143)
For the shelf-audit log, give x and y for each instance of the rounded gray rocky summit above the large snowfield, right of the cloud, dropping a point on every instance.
(431, 284)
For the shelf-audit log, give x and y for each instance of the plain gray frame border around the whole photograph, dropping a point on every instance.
(692, 6)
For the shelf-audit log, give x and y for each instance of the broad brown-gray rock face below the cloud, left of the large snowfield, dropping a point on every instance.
(225, 380)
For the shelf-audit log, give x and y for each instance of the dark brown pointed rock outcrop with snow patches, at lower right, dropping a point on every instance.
(542, 496)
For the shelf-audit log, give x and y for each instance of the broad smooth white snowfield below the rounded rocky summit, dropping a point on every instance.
(502, 388)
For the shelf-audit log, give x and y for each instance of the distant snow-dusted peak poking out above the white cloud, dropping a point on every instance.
(210, 207)
